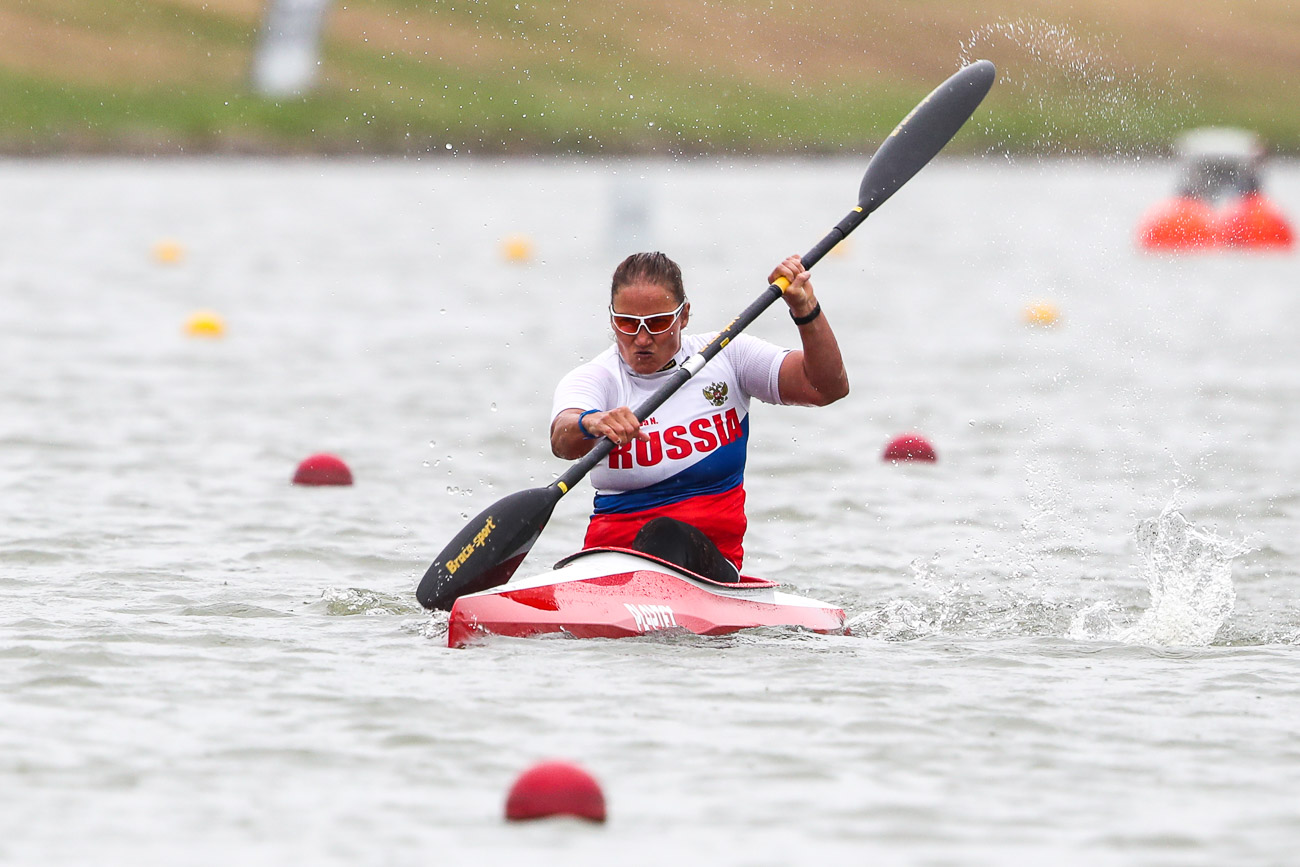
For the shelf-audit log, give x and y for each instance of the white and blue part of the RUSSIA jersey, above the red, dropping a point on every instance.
(699, 437)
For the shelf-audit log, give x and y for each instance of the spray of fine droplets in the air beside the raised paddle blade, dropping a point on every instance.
(1077, 92)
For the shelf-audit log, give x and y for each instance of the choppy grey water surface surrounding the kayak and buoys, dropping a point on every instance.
(1074, 636)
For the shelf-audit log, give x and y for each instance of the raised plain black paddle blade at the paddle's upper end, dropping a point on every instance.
(925, 133)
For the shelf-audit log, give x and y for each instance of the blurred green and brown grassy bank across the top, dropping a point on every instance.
(644, 76)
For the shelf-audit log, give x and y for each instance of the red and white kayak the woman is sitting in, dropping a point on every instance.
(614, 593)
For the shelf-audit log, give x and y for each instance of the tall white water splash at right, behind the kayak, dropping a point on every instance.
(1189, 574)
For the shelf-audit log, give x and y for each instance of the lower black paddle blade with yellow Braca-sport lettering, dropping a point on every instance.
(489, 549)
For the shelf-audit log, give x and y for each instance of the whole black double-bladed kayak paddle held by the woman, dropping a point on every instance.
(491, 548)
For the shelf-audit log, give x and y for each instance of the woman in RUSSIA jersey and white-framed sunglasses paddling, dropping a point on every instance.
(674, 484)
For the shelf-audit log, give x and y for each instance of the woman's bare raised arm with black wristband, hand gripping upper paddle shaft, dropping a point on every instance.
(813, 376)
